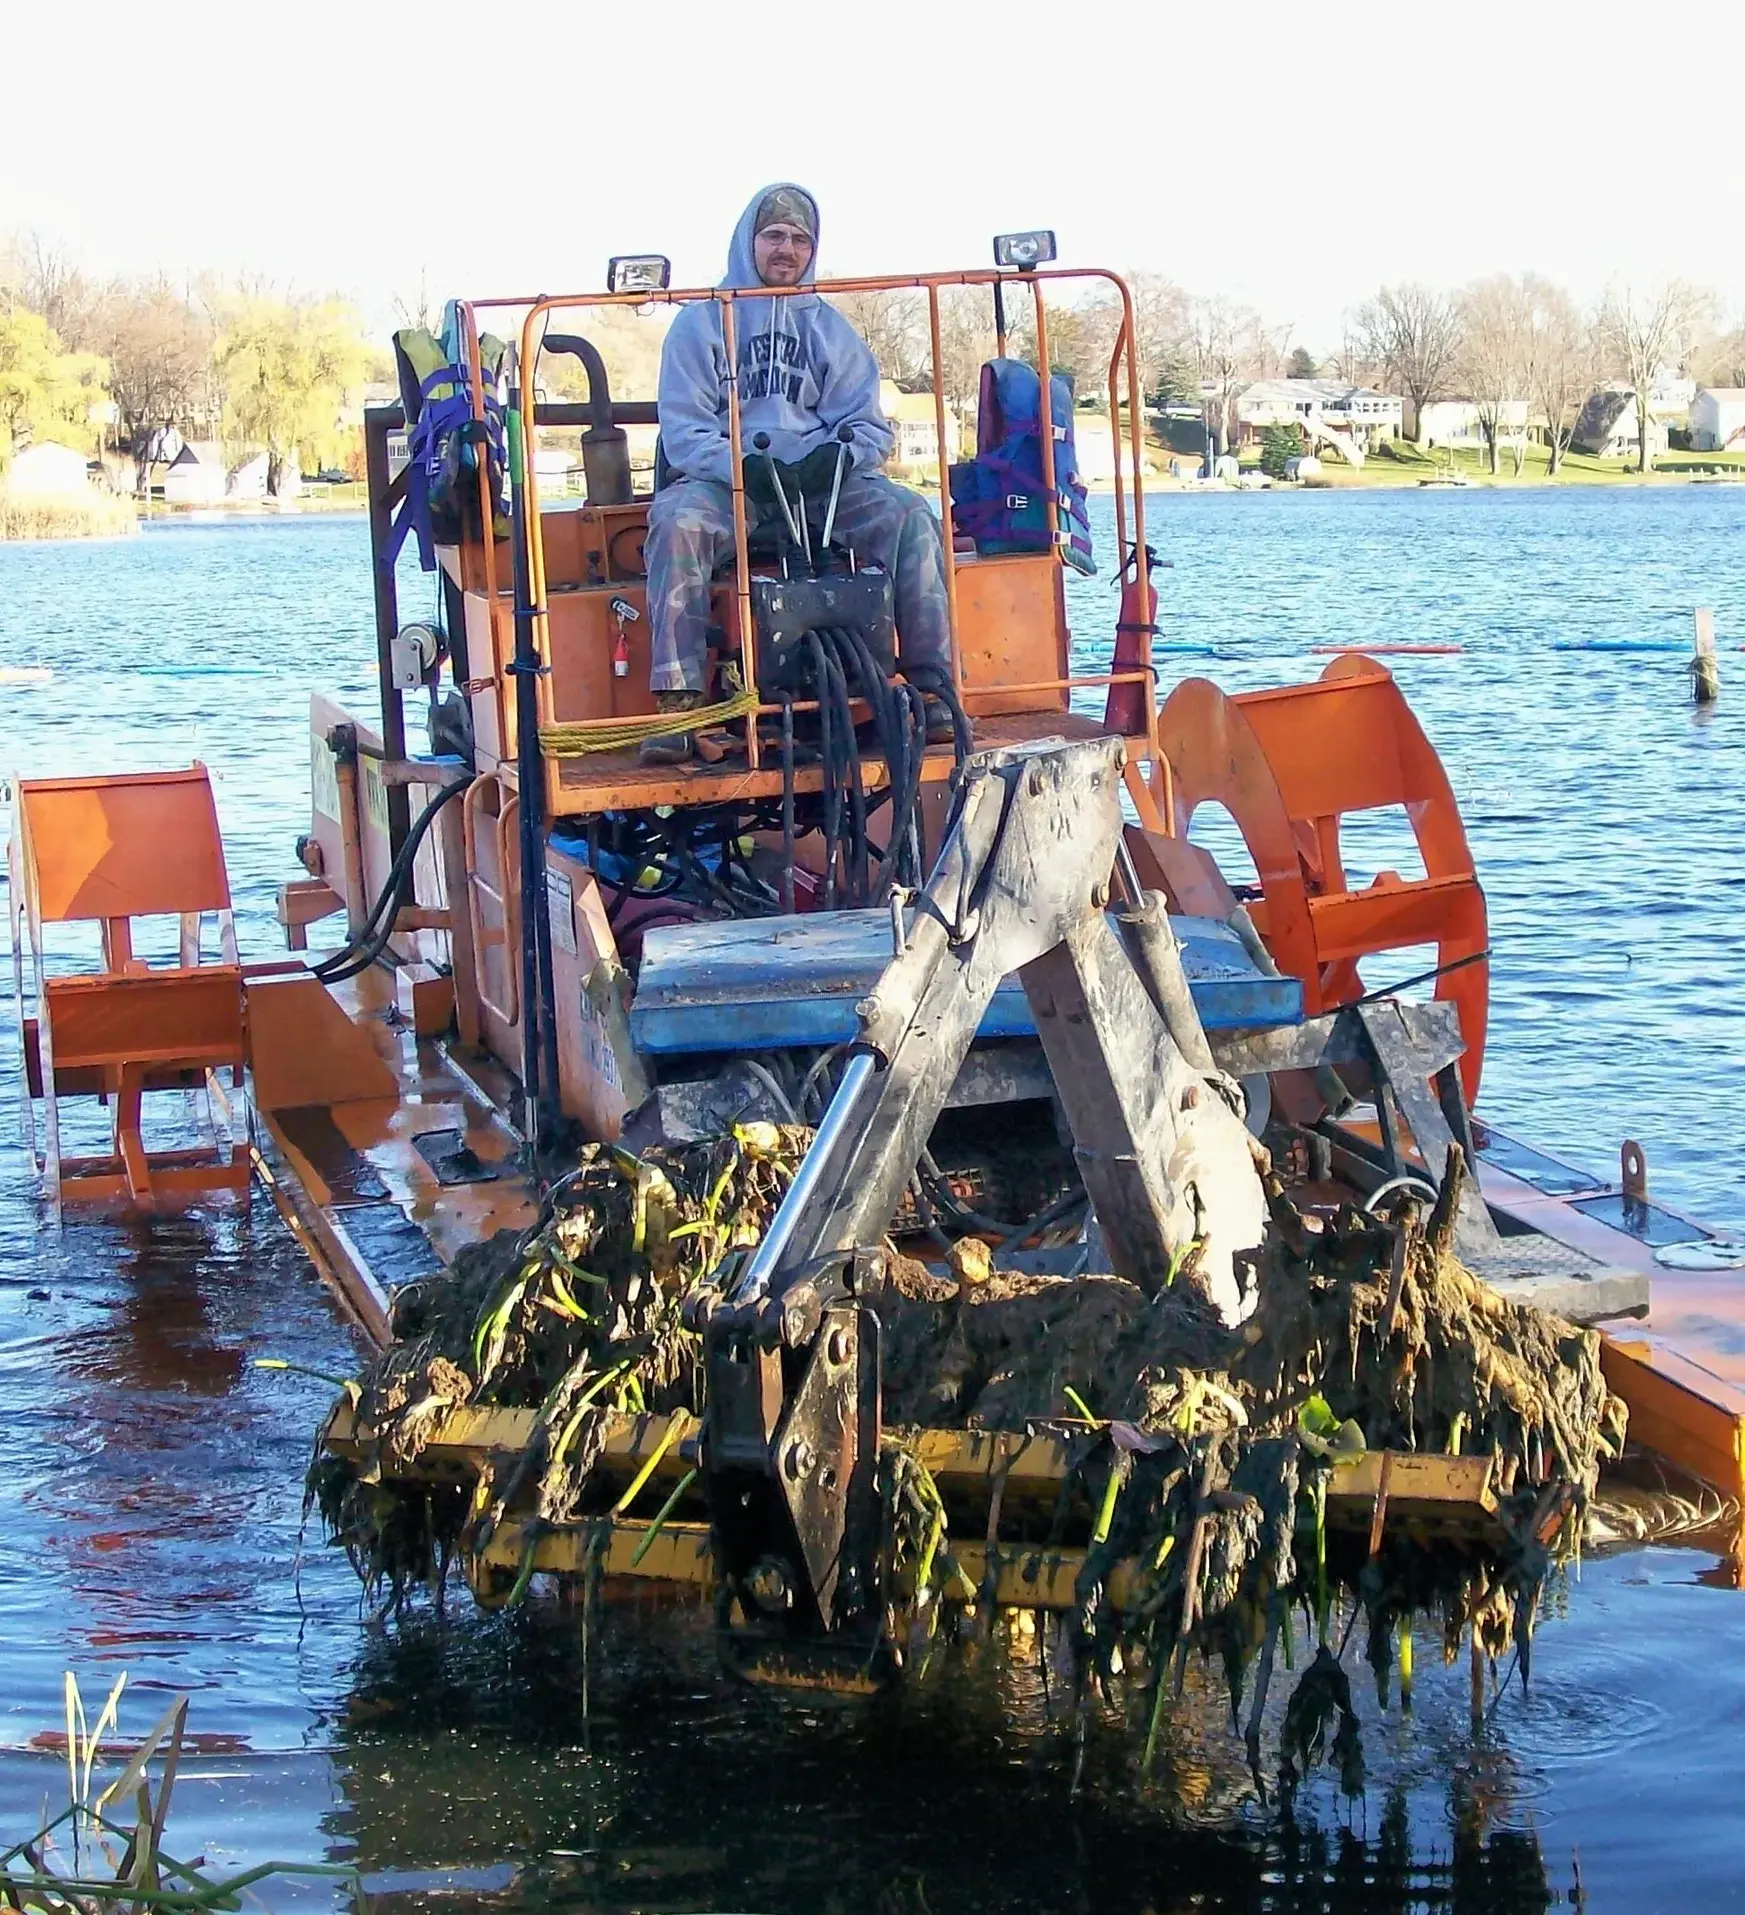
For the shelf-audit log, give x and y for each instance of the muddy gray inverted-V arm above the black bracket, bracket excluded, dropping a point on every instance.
(1022, 886)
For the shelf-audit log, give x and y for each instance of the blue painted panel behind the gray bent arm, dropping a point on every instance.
(767, 983)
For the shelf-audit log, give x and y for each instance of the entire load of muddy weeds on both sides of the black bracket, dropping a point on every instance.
(1200, 1458)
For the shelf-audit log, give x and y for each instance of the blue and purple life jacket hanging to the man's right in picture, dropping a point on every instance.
(999, 497)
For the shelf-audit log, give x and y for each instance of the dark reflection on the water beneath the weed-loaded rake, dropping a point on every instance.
(468, 1746)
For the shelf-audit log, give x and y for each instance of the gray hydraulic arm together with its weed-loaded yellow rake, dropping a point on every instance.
(840, 1439)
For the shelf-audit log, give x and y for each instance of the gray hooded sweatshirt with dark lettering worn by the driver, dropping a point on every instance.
(804, 372)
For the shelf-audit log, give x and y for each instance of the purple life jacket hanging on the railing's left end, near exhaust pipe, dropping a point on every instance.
(443, 439)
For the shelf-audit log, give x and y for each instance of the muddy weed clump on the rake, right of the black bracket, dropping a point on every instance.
(1206, 1456)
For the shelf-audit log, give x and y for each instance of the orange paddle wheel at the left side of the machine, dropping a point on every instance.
(108, 851)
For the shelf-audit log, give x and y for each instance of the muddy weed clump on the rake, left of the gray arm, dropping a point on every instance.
(576, 1318)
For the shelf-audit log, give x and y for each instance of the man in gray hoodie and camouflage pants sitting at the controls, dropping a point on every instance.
(809, 403)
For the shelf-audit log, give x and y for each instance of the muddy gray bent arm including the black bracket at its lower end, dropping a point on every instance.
(792, 1433)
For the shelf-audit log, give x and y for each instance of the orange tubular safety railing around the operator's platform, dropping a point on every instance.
(1154, 798)
